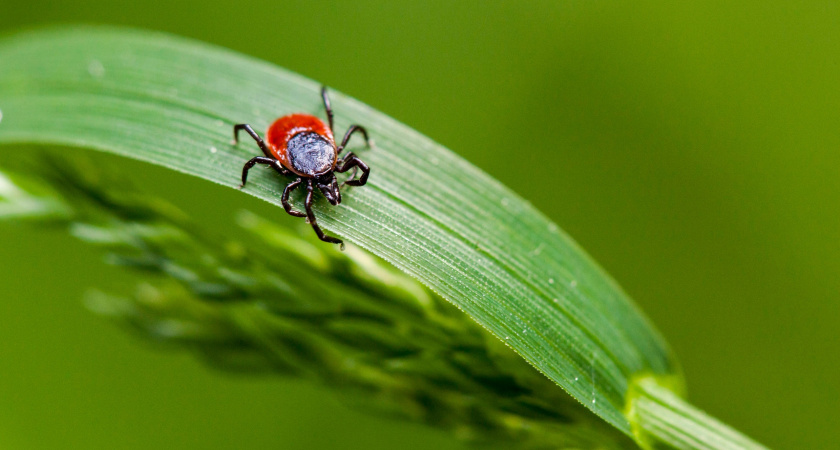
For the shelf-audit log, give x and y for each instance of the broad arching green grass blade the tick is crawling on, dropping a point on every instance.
(173, 102)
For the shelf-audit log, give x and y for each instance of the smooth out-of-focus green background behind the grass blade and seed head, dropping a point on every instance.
(690, 147)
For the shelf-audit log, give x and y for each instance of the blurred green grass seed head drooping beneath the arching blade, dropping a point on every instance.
(278, 301)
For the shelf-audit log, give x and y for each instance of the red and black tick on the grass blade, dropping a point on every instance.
(303, 146)
